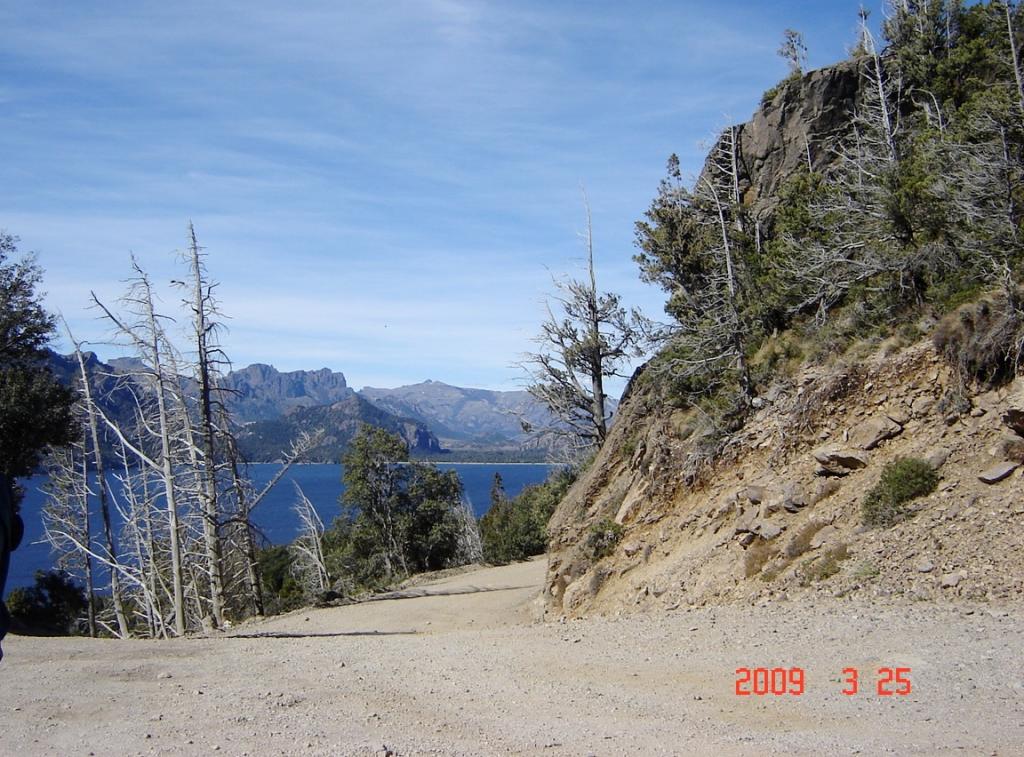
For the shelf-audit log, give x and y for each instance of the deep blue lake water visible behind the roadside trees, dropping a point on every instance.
(322, 484)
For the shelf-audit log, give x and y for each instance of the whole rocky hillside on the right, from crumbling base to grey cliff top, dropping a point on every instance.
(772, 503)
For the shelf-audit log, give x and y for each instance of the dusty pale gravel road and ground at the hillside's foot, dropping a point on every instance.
(458, 668)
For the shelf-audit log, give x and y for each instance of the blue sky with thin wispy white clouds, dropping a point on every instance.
(383, 188)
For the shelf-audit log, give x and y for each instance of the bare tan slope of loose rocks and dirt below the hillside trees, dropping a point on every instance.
(781, 512)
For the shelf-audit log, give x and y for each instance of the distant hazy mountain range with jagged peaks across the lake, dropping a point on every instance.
(274, 407)
